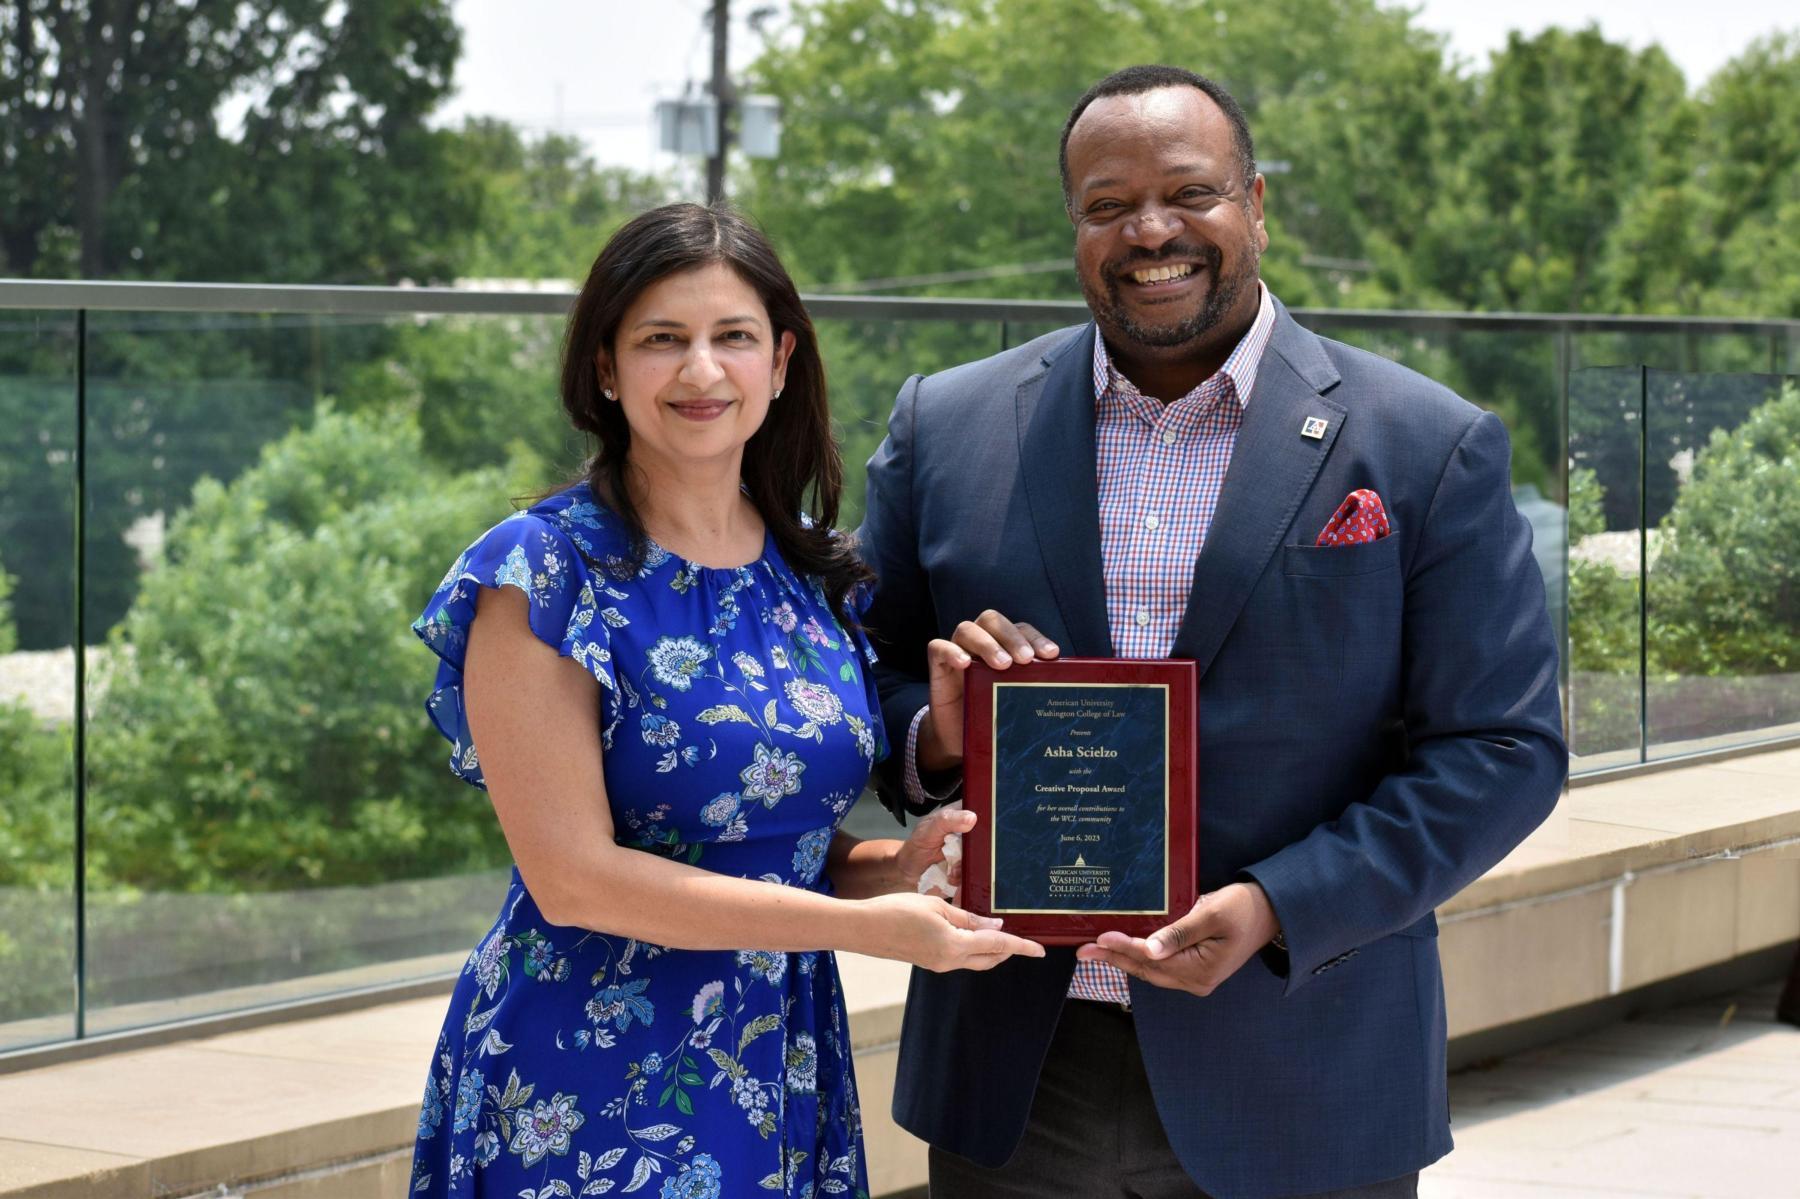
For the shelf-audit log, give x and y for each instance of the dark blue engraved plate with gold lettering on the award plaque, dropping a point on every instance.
(1081, 786)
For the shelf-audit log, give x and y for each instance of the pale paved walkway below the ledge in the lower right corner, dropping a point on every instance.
(1700, 1103)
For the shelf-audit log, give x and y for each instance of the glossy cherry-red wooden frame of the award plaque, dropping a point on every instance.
(1077, 928)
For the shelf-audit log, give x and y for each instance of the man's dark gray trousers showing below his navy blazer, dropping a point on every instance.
(1093, 1130)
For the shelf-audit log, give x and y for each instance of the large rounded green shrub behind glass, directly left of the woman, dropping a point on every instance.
(264, 719)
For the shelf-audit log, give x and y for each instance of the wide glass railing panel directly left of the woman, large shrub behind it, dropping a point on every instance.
(271, 503)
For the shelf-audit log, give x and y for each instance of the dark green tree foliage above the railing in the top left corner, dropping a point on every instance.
(118, 163)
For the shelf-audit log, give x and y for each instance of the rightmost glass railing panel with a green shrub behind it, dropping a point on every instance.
(1723, 588)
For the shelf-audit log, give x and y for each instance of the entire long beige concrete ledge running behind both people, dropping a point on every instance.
(1635, 883)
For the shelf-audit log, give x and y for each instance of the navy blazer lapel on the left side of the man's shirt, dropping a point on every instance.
(1057, 453)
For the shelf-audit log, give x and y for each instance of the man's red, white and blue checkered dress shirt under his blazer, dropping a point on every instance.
(1160, 471)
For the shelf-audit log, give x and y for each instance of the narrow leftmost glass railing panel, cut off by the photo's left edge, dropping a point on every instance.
(39, 489)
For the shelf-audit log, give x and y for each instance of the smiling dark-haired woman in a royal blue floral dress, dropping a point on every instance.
(661, 683)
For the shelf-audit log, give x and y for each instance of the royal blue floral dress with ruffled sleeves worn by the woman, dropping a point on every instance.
(739, 725)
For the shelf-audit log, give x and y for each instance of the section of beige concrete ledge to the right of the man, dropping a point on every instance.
(1641, 881)
